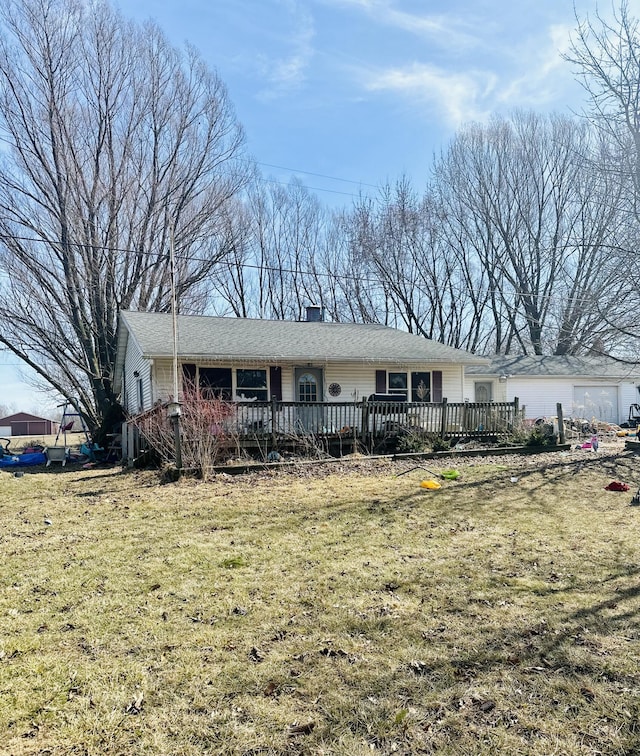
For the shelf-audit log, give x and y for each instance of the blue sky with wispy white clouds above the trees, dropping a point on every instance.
(347, 94)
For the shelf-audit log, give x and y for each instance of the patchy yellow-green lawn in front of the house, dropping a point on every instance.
(342, 611)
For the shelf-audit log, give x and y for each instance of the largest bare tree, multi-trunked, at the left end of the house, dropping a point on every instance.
(116, 146)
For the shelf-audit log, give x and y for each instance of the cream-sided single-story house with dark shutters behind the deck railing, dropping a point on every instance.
(291, 361)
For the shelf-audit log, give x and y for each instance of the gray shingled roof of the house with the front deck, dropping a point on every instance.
(272, 340)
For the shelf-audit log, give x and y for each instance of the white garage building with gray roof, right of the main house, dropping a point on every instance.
(586, 387)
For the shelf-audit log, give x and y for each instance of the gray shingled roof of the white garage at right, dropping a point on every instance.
(556, 366)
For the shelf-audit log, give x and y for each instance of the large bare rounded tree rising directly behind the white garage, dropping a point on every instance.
(527, 194)
